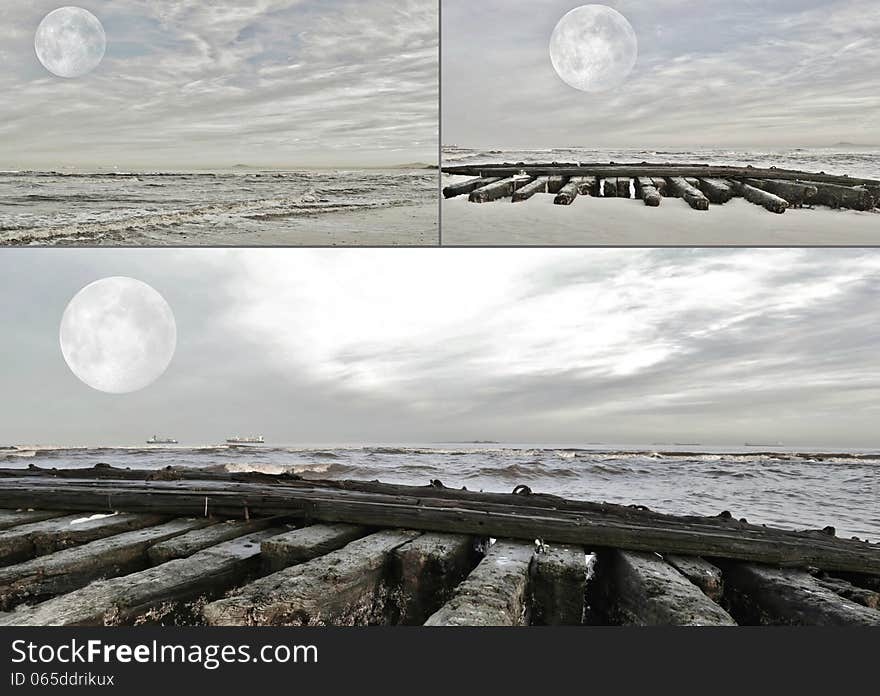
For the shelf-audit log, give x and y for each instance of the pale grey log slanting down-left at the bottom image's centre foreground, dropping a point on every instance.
(495, 593)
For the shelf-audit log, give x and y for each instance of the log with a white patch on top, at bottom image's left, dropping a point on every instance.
(40, 538)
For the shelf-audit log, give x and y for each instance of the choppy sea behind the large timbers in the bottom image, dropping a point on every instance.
(803, 489)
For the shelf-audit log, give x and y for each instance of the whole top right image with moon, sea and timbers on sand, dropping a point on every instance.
(660, 122)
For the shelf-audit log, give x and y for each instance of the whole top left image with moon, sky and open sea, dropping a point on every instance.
(229, 123)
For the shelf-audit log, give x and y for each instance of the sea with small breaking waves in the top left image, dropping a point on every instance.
(222, 208)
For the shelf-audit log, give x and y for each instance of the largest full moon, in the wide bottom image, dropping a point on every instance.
(118, 335)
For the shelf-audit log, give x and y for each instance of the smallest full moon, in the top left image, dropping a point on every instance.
(70, 42)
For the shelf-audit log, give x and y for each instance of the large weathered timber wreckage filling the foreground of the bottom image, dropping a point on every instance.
(208, 547)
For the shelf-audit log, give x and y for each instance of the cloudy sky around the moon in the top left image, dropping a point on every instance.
(189, 83)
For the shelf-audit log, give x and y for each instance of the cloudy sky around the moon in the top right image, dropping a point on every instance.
(742, 73)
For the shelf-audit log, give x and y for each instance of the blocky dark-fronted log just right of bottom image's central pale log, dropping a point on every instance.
(558, 585)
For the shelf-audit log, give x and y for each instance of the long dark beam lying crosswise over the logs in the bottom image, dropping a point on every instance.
(554, 519)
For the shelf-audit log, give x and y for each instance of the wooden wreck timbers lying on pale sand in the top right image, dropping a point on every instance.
(700, 186)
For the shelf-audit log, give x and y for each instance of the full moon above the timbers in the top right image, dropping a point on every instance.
(594, 48)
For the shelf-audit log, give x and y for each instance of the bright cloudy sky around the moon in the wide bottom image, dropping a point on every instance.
(336, 346)
